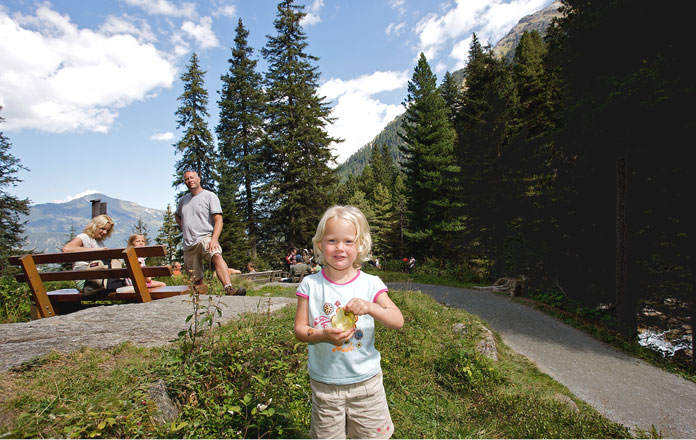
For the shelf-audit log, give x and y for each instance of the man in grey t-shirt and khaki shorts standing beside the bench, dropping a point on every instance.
(199, 216)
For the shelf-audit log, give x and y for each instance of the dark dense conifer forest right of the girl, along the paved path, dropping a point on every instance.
(568, 162)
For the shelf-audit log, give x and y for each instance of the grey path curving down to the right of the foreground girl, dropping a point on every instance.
(624, 389)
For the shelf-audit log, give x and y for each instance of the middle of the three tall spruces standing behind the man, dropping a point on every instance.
(241, 143)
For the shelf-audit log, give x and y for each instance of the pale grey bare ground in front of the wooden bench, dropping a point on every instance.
(149, 324)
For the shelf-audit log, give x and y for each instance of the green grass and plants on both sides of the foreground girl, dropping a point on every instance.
(249, 379)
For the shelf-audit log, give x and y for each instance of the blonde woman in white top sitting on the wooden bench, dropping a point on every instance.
(97, 230)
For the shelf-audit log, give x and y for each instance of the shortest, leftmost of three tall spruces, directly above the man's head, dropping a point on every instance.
(196, 146)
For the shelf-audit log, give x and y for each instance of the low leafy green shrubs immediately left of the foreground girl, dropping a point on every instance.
(251, 383)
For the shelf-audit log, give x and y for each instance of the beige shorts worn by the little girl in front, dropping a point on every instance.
(358, 410)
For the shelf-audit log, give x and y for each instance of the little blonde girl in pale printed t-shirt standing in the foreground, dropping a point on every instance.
(348, 397)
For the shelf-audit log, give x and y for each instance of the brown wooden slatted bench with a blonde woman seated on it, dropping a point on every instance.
(51, 303)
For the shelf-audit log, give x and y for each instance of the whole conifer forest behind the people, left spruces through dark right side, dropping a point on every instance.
(565, 165)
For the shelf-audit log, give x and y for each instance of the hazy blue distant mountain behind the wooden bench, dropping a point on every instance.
(49, 224)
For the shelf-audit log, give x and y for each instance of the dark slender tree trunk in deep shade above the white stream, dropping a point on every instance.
(626, 303)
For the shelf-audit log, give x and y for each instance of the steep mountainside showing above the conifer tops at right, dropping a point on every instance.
(538, 21)
